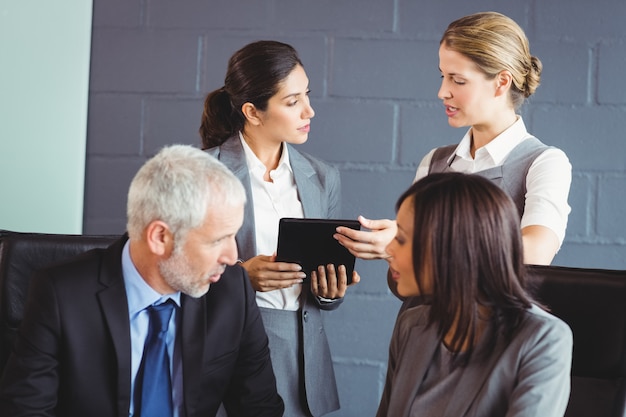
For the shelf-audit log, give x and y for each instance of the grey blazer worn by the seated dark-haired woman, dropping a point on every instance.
(527, 377)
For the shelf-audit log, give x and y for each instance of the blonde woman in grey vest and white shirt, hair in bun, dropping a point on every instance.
(487, 72)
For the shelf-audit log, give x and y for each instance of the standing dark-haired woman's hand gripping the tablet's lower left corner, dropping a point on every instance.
(266, 274)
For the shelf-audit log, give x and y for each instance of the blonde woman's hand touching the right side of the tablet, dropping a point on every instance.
(368, 244)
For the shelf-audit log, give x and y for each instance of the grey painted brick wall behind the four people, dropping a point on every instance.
(374, 80)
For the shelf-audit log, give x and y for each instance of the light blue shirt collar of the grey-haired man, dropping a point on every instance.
(139, 294)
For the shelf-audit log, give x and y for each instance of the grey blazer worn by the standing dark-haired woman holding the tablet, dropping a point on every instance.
(319, 190)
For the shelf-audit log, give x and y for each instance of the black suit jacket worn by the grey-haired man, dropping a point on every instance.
(72, 354)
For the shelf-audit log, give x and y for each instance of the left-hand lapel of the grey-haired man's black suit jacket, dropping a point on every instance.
(114, 305)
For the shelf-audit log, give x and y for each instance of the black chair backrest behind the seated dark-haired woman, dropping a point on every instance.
(593, 303)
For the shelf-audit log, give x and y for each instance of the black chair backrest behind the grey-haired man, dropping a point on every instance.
(21, 254)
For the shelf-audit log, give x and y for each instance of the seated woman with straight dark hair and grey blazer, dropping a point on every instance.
(479, 346)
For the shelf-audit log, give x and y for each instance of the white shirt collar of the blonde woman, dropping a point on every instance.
(499, 148)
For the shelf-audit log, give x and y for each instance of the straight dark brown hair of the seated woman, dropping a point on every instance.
(467, 241)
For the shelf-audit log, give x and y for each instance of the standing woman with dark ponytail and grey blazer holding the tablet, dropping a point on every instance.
(250, 124)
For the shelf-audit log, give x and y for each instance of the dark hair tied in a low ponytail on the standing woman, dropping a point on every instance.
(253, 76)
